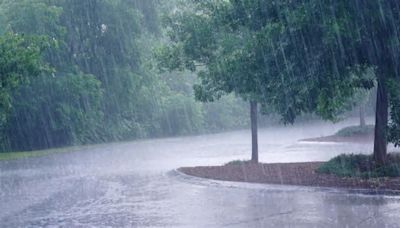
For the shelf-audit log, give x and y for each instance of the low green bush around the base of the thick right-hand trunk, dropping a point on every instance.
(361, 166)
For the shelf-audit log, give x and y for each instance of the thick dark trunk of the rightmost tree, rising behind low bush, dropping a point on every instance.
(381, 122)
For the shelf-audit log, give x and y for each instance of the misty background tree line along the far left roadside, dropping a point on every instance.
(85, 75)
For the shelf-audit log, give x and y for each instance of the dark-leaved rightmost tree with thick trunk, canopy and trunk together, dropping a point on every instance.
(336, 41)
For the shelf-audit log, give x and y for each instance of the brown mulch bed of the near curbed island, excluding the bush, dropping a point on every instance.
(288, 174)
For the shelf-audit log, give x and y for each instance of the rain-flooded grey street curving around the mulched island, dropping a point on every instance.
(133, 184)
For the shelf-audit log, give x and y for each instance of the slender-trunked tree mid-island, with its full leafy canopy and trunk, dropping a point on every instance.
(234, 54)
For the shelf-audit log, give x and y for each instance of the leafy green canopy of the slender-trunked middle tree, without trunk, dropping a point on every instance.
(258, 59)
